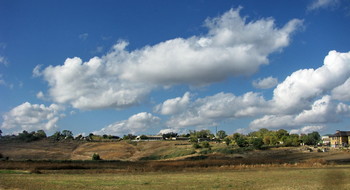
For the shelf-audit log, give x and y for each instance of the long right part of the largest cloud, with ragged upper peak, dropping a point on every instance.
(232, 47)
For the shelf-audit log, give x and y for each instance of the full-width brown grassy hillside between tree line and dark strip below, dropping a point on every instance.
(131, 151)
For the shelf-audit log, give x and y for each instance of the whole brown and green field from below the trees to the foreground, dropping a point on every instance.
(171, 165)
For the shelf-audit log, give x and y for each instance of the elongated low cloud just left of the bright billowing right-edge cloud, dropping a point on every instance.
(210, 110)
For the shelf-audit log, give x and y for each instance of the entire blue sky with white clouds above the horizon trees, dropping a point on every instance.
(149, 67)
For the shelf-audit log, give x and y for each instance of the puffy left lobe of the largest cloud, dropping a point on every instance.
(91, 85)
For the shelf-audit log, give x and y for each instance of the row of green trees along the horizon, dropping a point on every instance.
(257, 139)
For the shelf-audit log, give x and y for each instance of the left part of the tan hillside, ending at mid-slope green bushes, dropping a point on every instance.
(75, 150)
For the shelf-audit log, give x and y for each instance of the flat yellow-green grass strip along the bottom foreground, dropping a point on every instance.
(335, 177)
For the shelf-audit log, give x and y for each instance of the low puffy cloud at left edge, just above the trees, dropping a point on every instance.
(32, 117)
